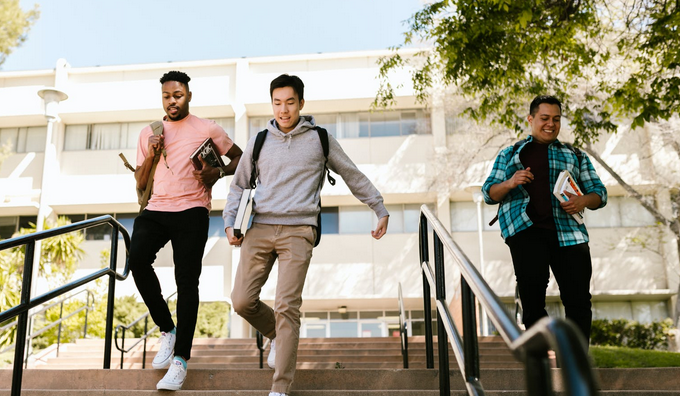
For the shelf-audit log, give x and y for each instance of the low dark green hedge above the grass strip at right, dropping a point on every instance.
(631, 334)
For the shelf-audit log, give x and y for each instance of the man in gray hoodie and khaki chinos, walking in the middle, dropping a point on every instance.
(285, 209)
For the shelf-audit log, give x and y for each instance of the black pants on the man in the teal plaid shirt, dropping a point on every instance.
(534, 251)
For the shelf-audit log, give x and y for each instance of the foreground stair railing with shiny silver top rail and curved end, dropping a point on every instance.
(530, 347)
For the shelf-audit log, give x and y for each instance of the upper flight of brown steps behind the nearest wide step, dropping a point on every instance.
(313, 353)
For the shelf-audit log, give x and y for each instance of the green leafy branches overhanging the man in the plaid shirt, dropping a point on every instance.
(604, 60)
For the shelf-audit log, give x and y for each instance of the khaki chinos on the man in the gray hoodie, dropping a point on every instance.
(262, 245)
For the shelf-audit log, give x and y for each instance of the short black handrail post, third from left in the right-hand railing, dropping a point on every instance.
(470, 343)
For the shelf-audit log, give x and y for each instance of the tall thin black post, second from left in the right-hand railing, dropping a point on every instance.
(442, 337)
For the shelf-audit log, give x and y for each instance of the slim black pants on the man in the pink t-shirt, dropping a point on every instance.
(188, 232)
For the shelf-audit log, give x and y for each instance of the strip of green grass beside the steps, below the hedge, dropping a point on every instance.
(607, 356)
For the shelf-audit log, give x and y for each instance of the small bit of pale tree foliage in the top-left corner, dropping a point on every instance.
(15, 24)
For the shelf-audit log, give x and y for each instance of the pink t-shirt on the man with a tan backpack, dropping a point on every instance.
(175, 189)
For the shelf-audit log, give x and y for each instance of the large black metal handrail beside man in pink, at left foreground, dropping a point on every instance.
(27, 303)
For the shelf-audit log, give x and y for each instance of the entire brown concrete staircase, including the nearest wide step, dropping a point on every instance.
(326, 367)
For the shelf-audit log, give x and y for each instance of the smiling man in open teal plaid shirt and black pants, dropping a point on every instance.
(540, 230)
